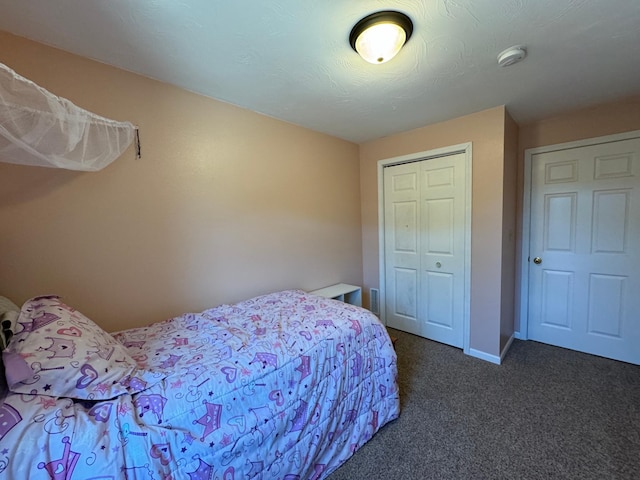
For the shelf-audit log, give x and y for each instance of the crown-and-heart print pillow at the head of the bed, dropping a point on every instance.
(60, 352)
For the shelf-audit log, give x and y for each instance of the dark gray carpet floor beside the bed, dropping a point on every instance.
(544, 413)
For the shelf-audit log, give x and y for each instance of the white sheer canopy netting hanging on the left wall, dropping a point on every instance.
(38, 128)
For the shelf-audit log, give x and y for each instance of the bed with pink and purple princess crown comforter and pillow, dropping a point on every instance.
(285, 386)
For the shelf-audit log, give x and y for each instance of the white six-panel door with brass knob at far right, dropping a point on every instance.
(584, 294)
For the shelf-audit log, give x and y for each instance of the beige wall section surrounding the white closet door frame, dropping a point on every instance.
(486, 131)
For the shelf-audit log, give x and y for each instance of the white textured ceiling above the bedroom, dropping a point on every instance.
(291, 59)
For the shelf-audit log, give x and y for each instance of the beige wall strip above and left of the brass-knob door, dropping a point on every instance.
(600, 120)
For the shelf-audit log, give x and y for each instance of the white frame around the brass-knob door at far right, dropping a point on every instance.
(523, 332)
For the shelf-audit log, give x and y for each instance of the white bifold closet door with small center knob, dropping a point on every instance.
(424, 237)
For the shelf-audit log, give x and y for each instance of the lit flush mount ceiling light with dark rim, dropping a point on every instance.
(380, 36)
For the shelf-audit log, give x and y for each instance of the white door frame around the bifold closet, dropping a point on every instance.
(466, 149)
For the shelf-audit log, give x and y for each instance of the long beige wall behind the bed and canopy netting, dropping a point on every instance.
(225, 203)
